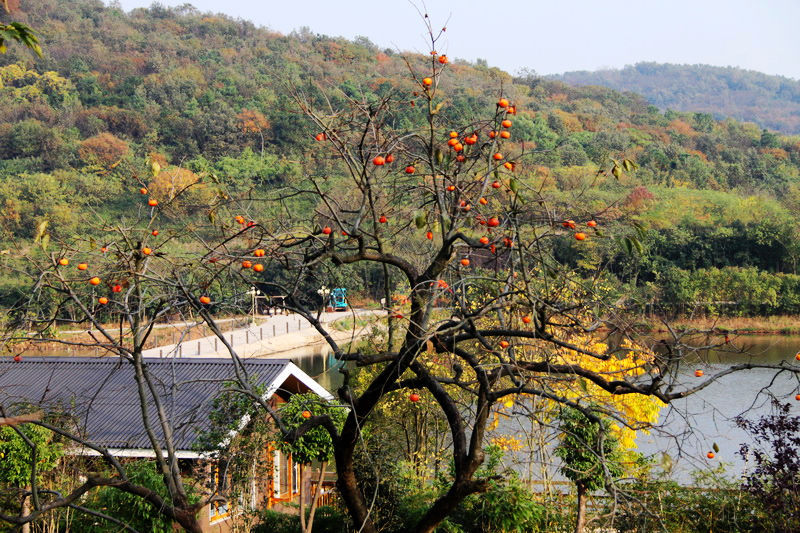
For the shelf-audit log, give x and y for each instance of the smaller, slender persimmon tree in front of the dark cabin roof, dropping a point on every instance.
(124, 285)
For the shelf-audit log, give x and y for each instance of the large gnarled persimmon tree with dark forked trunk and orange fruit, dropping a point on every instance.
(448, 209)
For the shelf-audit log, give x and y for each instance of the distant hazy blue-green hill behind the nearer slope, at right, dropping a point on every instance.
(770, 101)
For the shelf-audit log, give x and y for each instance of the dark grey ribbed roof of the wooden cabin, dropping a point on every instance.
(101, 393)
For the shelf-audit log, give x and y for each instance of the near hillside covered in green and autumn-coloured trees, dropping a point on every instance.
(210, 99)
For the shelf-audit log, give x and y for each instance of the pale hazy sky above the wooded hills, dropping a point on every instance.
(553, 36)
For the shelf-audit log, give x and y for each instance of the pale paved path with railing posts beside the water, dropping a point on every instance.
(268, 336)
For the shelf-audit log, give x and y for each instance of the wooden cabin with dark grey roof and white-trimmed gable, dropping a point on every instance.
(102, 394)
